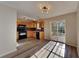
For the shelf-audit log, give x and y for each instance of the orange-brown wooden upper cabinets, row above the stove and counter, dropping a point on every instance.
(30, 24)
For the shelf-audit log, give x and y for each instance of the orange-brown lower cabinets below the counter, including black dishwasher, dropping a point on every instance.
(32, 34)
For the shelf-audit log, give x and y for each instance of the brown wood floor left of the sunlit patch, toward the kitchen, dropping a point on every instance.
(26, 48)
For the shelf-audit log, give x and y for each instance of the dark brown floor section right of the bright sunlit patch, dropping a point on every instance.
(71, 52)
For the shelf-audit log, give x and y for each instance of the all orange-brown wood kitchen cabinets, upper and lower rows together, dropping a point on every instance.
(32, 28)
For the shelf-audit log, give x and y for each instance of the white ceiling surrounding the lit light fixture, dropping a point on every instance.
(31, 8)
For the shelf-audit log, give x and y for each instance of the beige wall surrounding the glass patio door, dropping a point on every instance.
(70, 20)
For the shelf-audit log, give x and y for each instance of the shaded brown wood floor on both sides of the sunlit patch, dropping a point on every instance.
(29, 48)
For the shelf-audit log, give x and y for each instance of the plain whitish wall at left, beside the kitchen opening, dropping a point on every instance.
(7, 30)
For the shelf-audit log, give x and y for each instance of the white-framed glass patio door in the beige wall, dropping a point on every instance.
(57, 30)
